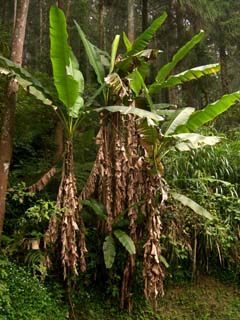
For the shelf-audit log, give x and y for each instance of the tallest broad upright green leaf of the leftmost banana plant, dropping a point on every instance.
(67, 78)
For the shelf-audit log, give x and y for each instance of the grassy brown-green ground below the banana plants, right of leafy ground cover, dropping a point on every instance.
(207, 299)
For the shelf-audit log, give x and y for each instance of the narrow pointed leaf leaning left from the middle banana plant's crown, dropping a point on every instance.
(93, 55)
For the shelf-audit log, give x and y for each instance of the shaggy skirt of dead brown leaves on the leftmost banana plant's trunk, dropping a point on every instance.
(72, 228)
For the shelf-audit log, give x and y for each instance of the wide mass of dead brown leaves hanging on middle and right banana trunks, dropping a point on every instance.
(123, 179)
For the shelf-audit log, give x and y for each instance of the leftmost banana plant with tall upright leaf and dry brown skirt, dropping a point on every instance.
(69, 84)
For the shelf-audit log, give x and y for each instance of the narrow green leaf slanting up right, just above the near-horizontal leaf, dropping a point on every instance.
(180, 54)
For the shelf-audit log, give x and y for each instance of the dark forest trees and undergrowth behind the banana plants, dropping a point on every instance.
(191, 244)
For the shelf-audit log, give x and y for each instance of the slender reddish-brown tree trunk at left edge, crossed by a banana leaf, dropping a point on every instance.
(6, 140)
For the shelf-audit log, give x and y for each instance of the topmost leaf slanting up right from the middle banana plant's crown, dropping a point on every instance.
(143, 40)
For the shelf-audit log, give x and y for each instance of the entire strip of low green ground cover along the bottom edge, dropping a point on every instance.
(23, 296)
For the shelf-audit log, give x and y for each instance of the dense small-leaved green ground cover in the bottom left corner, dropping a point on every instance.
(23, 297)
